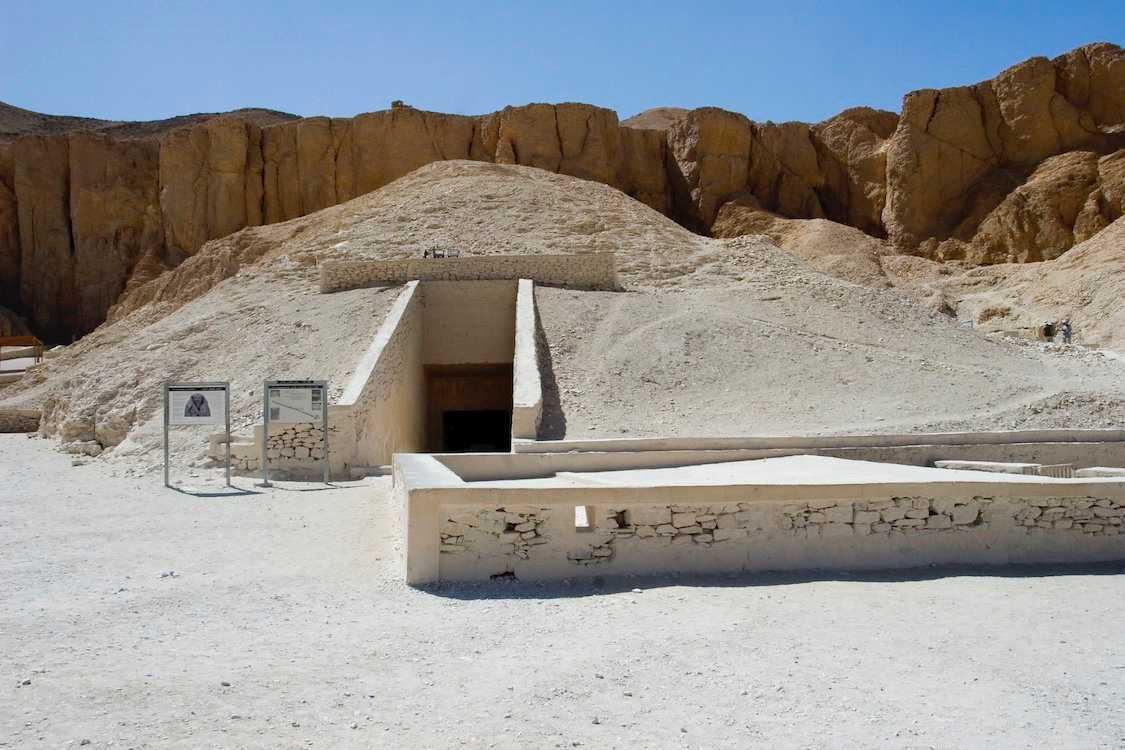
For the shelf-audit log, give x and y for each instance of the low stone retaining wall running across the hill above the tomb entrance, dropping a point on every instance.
(583, 272)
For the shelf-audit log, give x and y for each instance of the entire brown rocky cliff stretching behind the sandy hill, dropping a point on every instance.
(1015, 169)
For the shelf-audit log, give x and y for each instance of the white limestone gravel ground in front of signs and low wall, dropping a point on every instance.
(284, 625)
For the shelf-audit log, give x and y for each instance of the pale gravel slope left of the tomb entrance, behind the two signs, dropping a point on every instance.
(262, 323)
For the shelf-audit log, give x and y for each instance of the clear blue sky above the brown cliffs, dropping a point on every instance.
(777, 61)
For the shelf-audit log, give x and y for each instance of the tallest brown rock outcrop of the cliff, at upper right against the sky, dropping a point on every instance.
(952, 147)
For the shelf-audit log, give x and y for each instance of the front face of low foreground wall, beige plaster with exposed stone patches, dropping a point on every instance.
(541, 540)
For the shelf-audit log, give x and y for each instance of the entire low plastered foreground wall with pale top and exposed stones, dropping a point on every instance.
(470, 531)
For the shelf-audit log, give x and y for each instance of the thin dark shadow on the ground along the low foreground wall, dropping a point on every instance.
(511, 589)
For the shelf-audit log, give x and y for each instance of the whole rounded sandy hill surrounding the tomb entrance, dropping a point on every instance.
(713, 337)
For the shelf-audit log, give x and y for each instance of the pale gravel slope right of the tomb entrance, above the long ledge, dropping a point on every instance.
(805, 356)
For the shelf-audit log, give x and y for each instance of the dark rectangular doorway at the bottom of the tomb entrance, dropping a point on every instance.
(469, 409)
